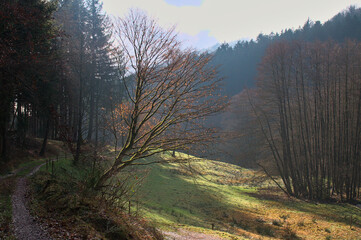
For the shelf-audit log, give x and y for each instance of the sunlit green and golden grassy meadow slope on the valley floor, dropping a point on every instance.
(225, 195)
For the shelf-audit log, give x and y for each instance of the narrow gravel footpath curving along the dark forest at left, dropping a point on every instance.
(25, 226)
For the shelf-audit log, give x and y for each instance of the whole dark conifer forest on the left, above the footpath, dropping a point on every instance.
(58, 77)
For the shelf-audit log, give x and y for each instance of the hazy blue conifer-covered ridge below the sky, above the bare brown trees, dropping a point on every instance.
(238, 64)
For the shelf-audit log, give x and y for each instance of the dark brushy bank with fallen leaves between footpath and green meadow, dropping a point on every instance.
(64, 198)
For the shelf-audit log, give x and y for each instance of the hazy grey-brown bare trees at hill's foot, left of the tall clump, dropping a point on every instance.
(243, 143)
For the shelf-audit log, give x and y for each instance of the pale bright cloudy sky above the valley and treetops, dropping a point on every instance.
(204, 23)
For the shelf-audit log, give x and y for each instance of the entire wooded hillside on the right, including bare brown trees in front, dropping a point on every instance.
(300, 118)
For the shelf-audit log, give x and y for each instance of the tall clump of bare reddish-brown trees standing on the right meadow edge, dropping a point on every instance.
(310, 116)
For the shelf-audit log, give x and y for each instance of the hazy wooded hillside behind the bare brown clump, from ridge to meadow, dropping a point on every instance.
(239, 67)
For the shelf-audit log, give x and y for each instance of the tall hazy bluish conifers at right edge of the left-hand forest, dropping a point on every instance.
(88, 74)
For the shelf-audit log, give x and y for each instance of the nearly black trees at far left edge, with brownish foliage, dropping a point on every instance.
(27, 50)
